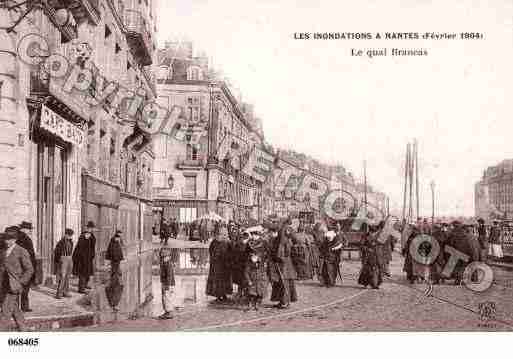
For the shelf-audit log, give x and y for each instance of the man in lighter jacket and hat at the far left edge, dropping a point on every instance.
(15, 272)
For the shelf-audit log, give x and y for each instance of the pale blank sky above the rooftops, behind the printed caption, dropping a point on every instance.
(314, 97)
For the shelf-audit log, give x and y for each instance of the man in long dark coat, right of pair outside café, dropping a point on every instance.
(83, 257)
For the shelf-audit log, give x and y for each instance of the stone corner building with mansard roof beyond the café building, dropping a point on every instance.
(202, 151)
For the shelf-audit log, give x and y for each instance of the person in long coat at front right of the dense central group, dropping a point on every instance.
(281, 270)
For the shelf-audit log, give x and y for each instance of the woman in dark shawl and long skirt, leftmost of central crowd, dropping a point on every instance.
(219, 282)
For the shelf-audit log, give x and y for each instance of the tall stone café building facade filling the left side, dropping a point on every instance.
(72, 155)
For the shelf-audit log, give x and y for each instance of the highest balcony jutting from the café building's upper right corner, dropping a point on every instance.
(138, 36)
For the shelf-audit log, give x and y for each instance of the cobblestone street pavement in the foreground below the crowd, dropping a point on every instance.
(396, 306)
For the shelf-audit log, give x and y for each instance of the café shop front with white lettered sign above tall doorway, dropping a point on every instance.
(58, 136)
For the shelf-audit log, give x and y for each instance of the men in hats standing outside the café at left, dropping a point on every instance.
(18, 266)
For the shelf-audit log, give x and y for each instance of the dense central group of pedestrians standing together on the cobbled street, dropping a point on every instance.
(278, 254)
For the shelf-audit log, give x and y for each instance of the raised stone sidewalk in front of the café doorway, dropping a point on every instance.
(50, 313)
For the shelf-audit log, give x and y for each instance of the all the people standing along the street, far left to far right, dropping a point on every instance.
(250, 258)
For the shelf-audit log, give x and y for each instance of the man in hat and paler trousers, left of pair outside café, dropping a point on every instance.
(63, 263)
